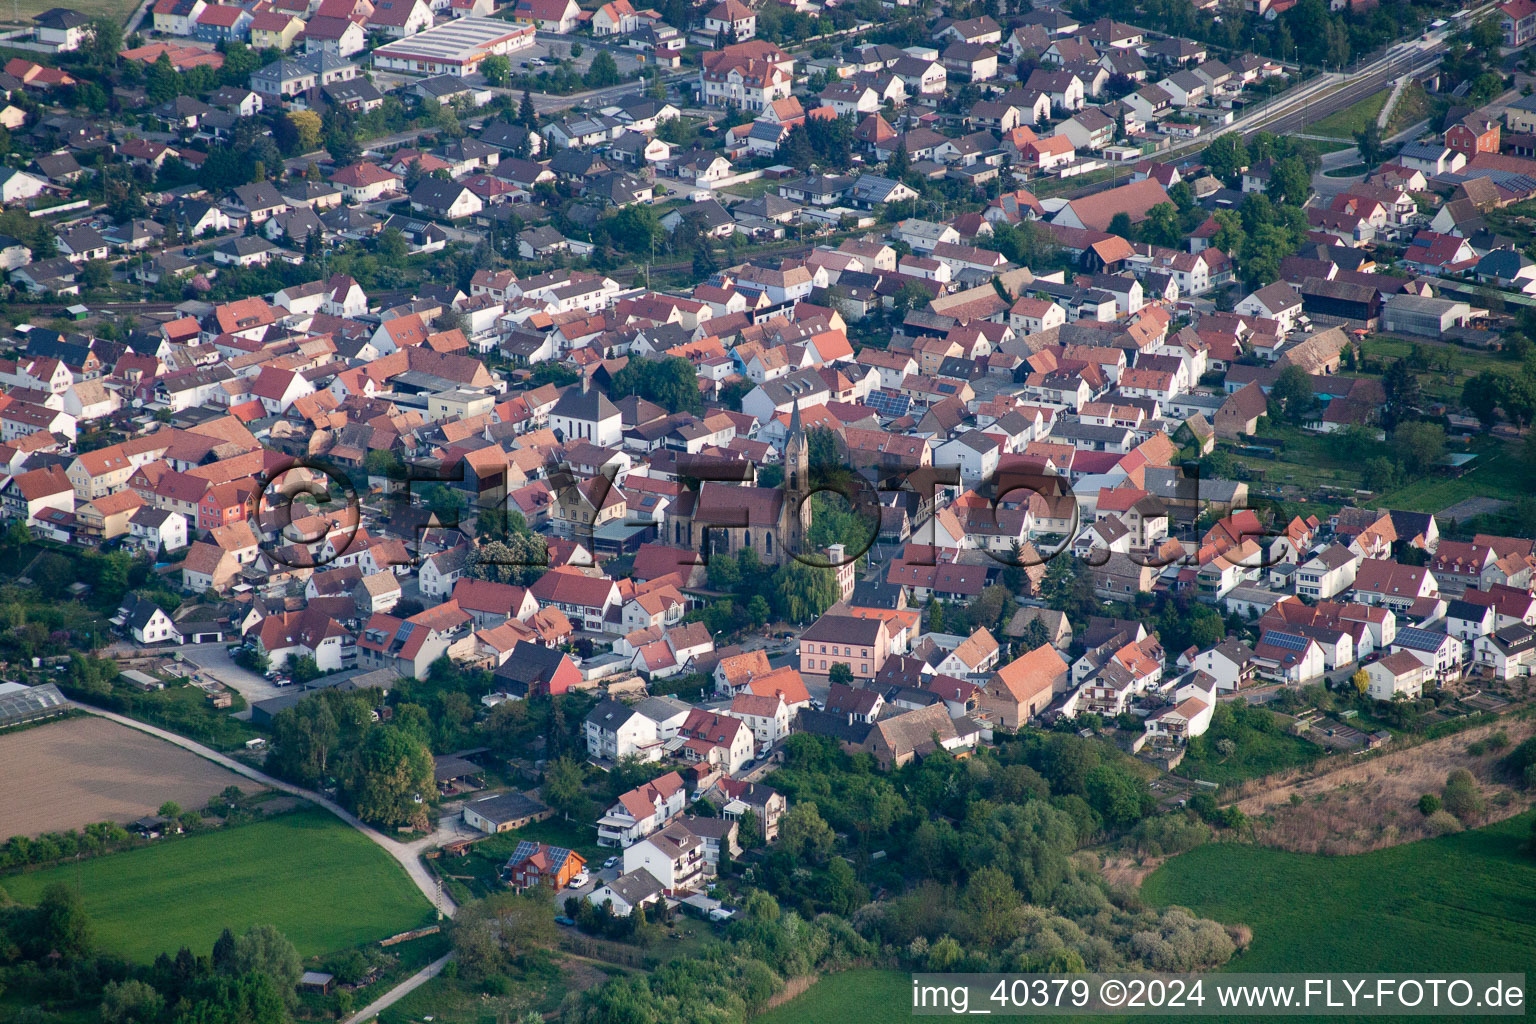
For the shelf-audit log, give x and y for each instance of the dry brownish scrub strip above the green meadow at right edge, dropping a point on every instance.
(1374, 804)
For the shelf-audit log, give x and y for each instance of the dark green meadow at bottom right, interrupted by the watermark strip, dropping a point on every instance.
(1457, 903)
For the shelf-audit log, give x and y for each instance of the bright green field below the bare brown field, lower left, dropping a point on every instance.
(322, 884)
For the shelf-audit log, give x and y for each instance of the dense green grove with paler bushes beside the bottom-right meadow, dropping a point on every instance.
(978, 851)
